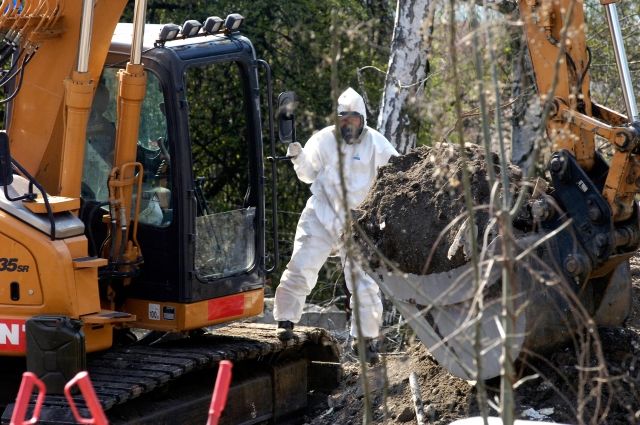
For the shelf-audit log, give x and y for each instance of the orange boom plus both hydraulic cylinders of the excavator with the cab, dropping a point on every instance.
(71, 40)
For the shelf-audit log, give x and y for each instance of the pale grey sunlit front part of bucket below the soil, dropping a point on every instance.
(444, 311)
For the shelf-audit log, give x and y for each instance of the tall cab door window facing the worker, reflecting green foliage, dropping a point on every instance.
(226, 210)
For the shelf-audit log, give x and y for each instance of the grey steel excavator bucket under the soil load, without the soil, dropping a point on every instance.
(460, 320)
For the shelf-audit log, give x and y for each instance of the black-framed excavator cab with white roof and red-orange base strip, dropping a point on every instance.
(201, 212)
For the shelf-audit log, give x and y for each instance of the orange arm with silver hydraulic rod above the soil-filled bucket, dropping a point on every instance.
(561, 59)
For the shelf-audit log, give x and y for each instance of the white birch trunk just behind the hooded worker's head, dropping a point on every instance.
(408, 67)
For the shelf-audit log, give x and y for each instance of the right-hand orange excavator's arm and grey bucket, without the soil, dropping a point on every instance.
(571, 267)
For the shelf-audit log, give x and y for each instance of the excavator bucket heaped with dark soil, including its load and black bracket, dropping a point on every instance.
(566, 265)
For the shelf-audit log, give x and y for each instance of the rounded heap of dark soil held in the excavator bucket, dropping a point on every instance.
(416, 196)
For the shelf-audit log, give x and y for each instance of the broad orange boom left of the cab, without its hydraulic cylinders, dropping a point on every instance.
(57, 44)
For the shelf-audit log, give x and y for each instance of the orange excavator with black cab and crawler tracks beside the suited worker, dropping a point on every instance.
(133, 214)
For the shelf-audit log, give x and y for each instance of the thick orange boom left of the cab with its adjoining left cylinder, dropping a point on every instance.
(56, 41)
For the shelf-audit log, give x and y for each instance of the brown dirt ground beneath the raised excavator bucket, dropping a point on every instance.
(554, 386)
